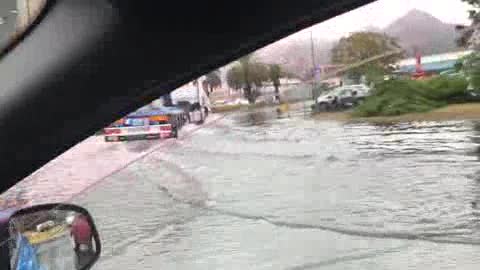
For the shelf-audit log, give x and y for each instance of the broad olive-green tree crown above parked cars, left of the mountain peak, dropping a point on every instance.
(362, 46)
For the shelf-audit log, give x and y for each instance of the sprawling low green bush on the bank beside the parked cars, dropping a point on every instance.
(402, 96)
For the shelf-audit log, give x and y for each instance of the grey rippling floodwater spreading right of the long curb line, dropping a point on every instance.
(269, 190)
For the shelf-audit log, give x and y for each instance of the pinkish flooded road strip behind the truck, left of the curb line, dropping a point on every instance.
(88, 163)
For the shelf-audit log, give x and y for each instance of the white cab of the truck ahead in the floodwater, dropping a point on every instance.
(198, 101)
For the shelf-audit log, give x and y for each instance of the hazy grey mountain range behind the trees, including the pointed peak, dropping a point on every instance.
(416, 29)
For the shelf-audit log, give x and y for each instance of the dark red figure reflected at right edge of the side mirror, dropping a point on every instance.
(81, 232)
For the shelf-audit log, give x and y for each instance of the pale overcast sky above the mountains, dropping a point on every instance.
(381, 13)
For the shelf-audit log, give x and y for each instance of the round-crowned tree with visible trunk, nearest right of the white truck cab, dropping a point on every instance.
(245, 74)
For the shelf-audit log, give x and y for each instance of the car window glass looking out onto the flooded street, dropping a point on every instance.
(265, 163)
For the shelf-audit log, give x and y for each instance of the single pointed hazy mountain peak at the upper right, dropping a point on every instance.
(418, 29)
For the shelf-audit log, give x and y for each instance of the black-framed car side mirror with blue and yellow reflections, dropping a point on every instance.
(51, 237)
